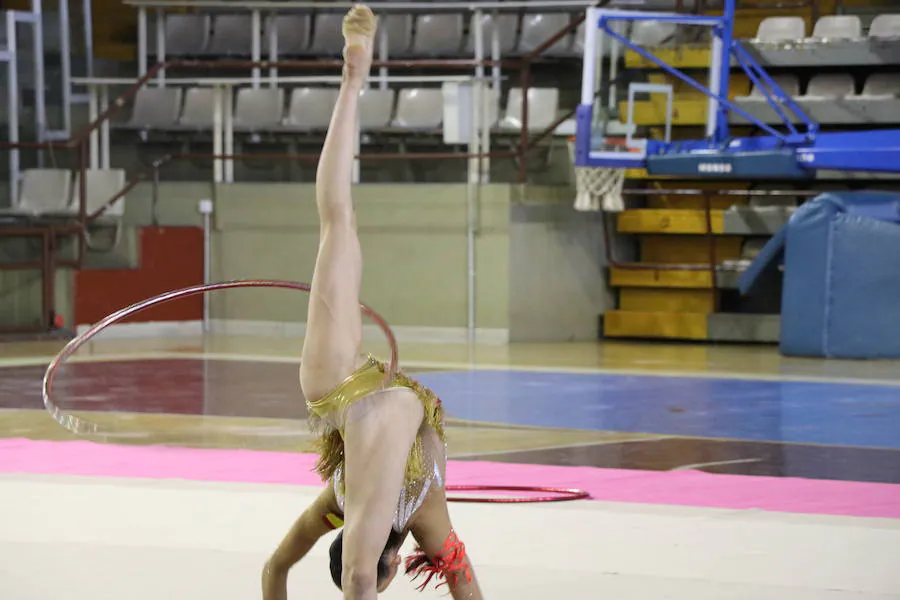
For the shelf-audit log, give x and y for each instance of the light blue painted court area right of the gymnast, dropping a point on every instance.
(779, 411)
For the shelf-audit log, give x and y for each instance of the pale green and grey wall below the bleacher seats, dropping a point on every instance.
(539, 264)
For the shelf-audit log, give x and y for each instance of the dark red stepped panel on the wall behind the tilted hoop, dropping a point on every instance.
(171, 258)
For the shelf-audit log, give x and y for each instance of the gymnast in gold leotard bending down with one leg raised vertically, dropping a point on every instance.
(381, 447)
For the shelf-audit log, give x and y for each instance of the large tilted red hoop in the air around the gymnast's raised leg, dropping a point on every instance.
(80, 426)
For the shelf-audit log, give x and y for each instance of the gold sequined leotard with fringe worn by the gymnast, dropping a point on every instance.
(326, 417)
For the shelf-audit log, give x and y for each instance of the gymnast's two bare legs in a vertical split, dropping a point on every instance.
(380, 429)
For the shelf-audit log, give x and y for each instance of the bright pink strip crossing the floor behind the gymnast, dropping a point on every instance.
(684, 488)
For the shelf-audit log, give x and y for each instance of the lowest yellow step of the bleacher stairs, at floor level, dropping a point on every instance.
(649, 324)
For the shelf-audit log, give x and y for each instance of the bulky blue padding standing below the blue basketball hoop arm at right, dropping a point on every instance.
(841, 293)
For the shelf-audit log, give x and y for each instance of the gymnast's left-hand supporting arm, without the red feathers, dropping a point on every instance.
(304, 534)
